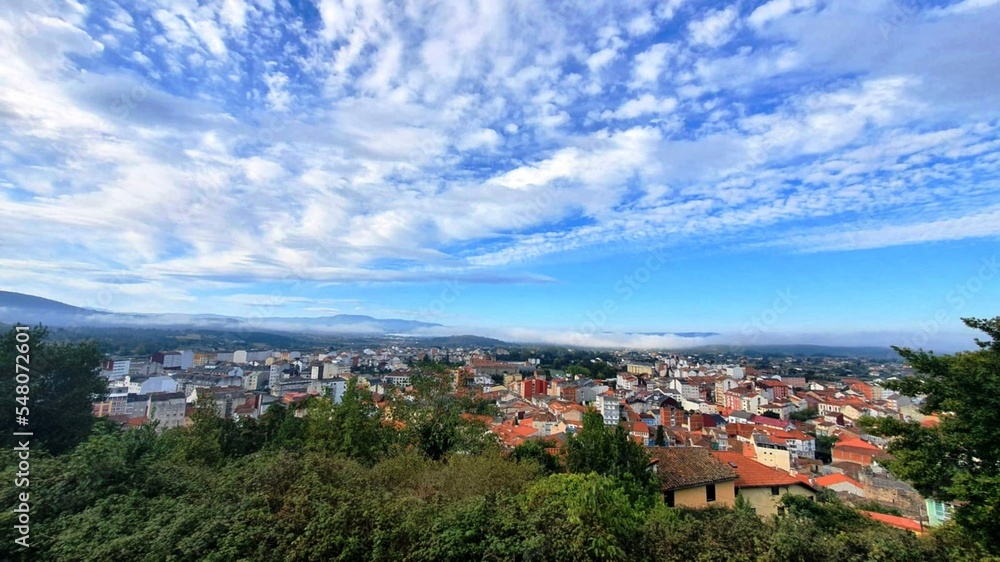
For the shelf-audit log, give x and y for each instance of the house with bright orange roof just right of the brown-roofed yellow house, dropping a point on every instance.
(762, 485)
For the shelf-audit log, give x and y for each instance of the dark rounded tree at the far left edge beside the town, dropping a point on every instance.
(58, 390)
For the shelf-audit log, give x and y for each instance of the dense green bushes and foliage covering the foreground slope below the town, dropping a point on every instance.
(416, 479)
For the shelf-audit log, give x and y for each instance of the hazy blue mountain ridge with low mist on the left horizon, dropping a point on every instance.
(29, 309)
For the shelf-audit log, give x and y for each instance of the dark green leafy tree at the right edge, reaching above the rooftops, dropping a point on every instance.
(957, 460)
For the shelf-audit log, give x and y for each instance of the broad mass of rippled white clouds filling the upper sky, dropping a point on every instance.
(236, 153)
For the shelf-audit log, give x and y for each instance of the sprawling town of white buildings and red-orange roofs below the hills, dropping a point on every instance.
(756, 428)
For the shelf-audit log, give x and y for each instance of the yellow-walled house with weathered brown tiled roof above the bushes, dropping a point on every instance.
(693, 477)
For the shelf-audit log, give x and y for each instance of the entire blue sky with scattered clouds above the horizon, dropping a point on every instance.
(581, 173)
